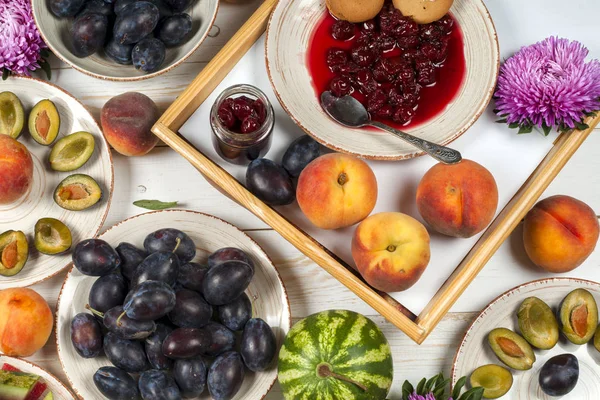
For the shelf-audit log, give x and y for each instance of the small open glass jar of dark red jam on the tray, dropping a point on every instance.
(242, 120)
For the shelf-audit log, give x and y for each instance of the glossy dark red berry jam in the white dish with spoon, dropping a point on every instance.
(403, 72)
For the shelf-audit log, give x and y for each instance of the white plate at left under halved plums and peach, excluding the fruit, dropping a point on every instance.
(39, 203)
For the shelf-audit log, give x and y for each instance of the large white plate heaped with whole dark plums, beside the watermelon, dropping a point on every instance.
(169, 305)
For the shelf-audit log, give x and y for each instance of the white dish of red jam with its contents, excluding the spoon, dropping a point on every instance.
(425, 67)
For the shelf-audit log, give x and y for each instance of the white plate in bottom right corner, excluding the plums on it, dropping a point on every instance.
(475, 352)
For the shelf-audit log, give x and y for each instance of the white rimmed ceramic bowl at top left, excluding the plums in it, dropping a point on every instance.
(55, 32)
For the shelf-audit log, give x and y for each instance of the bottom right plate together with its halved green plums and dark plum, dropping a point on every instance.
(538, 341)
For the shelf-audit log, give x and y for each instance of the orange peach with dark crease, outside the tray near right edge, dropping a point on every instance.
(559, 233)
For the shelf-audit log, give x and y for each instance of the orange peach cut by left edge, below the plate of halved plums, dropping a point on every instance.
(25, 322)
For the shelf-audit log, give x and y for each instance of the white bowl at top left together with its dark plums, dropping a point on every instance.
(124, 40)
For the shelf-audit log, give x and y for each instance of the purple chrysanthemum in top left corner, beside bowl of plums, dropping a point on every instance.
(20, 41)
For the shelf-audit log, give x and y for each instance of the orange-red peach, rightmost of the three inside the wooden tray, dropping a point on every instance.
(458, 200)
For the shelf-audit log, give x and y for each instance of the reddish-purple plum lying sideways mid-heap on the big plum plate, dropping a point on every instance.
(185, 343)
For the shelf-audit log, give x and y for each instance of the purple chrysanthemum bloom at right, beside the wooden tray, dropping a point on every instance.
(548, 84)
